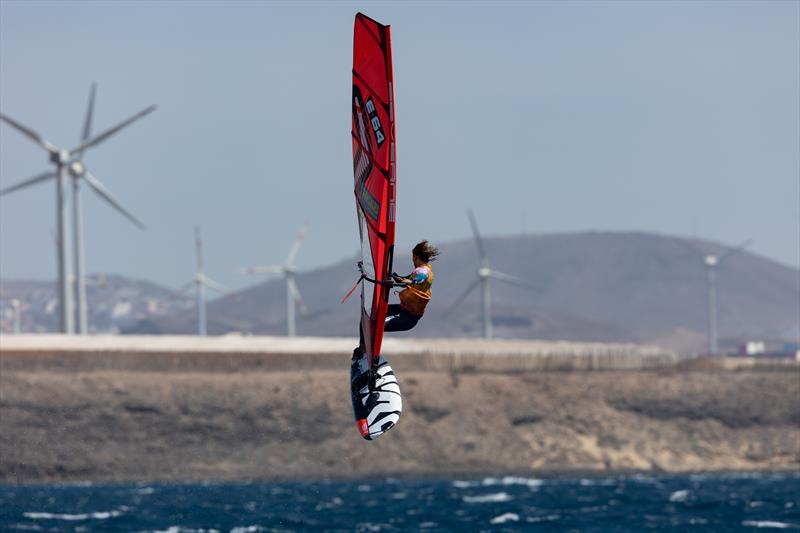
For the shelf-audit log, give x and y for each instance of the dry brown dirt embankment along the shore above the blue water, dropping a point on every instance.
(61, 422)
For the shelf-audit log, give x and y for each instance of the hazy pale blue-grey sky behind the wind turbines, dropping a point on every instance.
(676, 117)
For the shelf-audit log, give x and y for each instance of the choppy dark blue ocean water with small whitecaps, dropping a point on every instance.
(713, 502)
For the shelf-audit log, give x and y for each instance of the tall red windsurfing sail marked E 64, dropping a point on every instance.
(374, 168)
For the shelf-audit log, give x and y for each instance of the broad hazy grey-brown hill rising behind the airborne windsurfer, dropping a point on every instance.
(593, 287)
